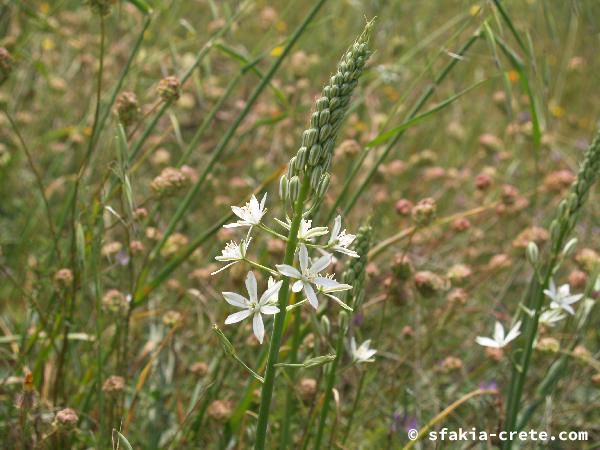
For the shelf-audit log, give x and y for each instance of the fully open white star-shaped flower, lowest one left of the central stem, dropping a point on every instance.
(253, 306)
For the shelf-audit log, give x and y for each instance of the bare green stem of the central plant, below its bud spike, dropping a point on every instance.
(290, 251)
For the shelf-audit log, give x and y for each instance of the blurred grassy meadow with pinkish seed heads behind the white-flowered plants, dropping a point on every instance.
(512, 102)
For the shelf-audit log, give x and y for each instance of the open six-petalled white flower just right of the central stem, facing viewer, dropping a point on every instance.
(309, 274)
